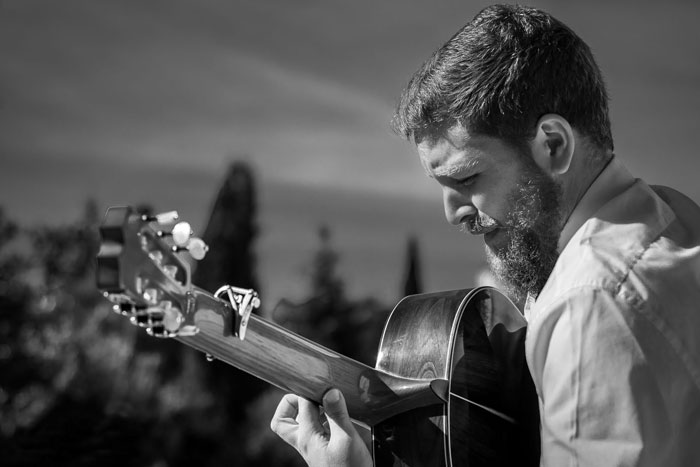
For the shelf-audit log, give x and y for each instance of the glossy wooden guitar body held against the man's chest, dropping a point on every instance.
(474, 339)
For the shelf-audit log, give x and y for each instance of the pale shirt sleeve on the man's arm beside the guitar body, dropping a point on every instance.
(596, 390)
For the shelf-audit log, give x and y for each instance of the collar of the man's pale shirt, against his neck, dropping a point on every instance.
(612, 180)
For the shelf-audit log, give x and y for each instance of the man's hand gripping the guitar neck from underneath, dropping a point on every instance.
(297, 421)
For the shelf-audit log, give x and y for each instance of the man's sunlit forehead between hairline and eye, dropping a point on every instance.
(457, 151)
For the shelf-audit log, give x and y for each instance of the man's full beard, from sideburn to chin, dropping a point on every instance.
(532, 226)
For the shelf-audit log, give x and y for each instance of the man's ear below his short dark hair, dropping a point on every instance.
(554, 144)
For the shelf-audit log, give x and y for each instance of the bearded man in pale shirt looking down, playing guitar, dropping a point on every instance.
(510, 117)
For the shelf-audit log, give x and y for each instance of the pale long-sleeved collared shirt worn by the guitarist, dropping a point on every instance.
(613, 340)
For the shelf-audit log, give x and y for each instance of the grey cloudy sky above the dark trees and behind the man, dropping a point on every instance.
(149, 100)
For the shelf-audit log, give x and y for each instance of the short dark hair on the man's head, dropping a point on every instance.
(500, 73)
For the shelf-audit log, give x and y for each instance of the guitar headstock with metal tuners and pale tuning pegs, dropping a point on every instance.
(140, 269)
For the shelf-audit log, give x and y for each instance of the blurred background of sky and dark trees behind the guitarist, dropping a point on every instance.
(274, 116)
